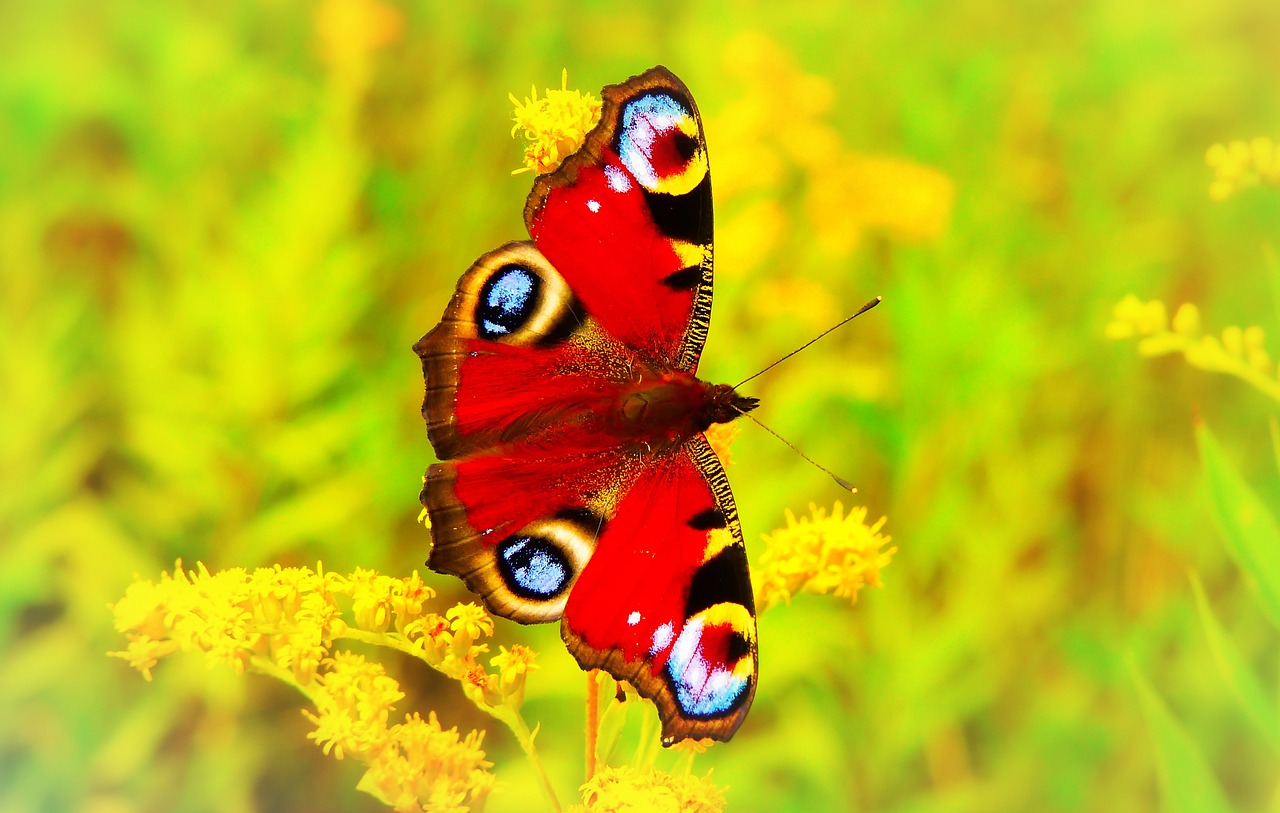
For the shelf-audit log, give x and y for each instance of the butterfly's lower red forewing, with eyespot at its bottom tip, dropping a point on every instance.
(666, 600)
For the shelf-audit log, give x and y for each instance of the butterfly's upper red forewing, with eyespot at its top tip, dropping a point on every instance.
(628, 221)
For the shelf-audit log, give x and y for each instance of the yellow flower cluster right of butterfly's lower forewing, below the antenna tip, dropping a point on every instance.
(826, 555)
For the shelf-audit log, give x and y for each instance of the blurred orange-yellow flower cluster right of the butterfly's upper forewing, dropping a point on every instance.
(842, 193)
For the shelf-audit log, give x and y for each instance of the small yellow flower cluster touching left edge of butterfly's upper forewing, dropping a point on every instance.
(555, 126)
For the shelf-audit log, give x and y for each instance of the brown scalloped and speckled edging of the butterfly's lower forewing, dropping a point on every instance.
(656, 688)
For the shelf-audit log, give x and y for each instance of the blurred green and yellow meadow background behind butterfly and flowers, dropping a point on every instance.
(223, 226)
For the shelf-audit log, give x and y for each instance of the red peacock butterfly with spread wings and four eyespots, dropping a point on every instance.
(575, 479)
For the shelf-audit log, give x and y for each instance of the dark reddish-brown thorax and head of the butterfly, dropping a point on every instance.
(673, 406)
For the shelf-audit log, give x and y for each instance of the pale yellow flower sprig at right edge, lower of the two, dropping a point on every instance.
(1240, 353)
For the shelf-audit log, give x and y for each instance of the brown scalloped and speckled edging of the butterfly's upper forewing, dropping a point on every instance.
(615, 97)
